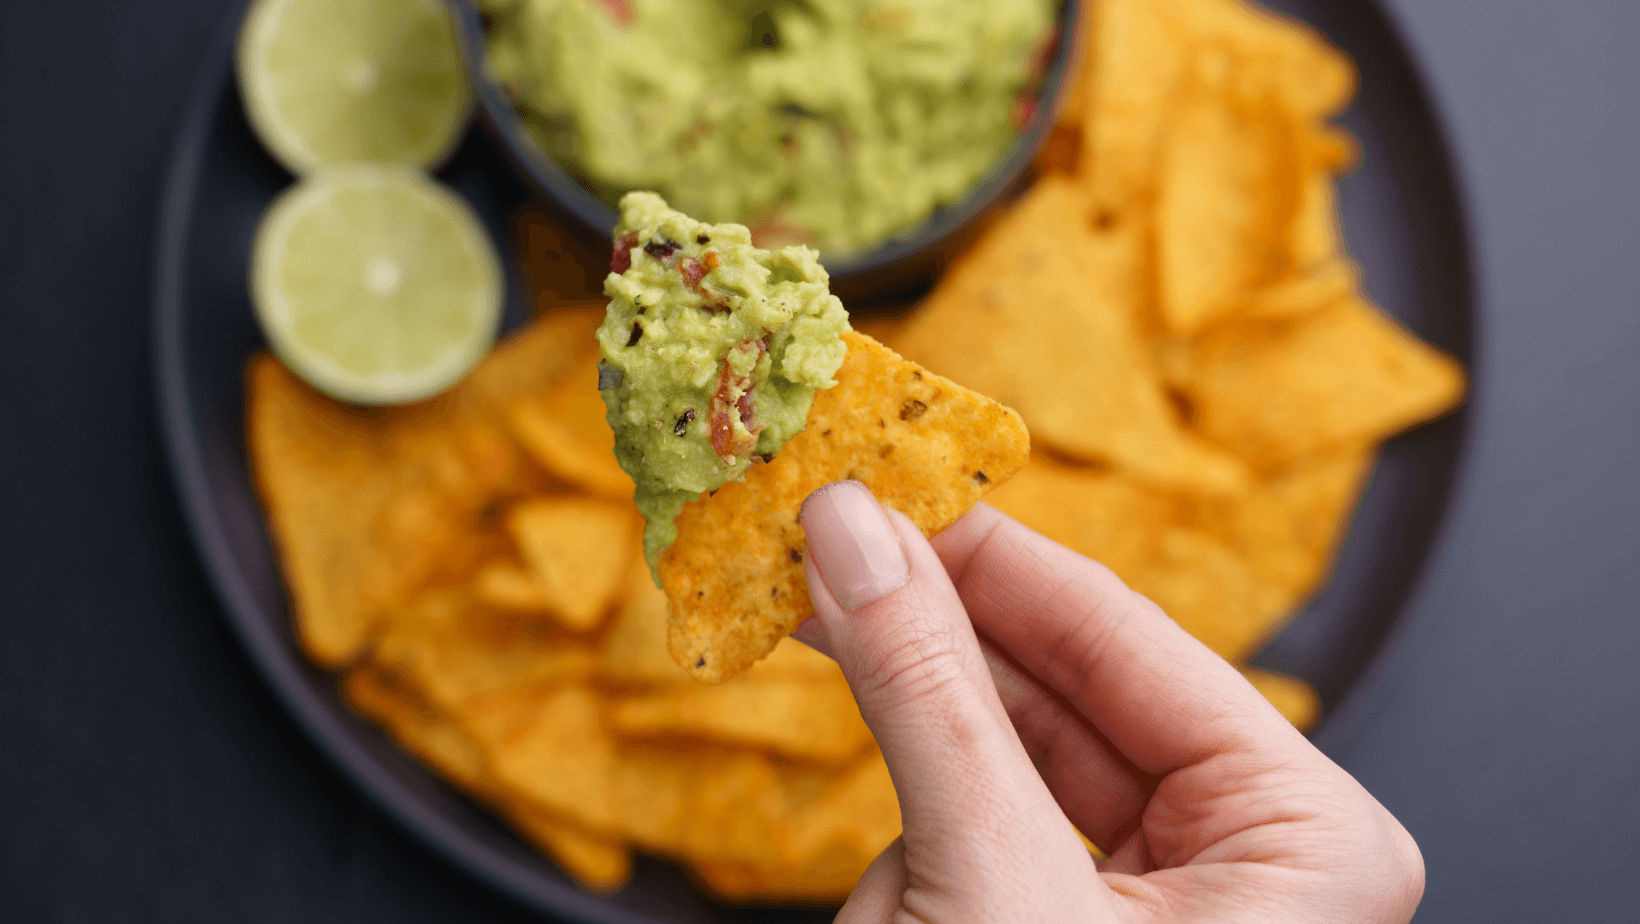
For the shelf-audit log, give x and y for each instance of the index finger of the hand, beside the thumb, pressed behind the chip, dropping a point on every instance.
(1159, 695)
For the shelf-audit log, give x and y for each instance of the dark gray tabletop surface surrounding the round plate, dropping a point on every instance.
(148, 775)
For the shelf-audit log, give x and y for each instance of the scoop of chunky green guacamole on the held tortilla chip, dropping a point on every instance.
(713, 354)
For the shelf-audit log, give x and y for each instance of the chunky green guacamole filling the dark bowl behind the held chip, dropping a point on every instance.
(829, 122)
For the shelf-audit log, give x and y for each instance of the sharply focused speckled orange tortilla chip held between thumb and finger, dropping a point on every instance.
(926, 447)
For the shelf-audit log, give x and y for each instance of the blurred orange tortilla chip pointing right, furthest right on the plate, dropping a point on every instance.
(1346, 375)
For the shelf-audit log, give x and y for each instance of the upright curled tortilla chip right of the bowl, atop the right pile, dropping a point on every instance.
(1228, 188)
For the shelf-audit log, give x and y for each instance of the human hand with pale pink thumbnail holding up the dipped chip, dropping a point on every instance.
(1077, 703)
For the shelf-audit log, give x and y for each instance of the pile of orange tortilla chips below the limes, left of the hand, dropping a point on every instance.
(475, 567)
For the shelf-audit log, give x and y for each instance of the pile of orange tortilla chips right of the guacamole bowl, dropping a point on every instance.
(1172, 311)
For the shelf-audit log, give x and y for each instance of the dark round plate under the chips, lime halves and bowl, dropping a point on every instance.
(1403, 222)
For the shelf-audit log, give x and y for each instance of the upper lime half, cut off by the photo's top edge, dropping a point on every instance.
(339, 81)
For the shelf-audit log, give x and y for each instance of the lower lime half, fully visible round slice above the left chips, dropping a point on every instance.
(375, 283)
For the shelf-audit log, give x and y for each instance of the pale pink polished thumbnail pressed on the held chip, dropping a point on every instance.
(854, 544)
